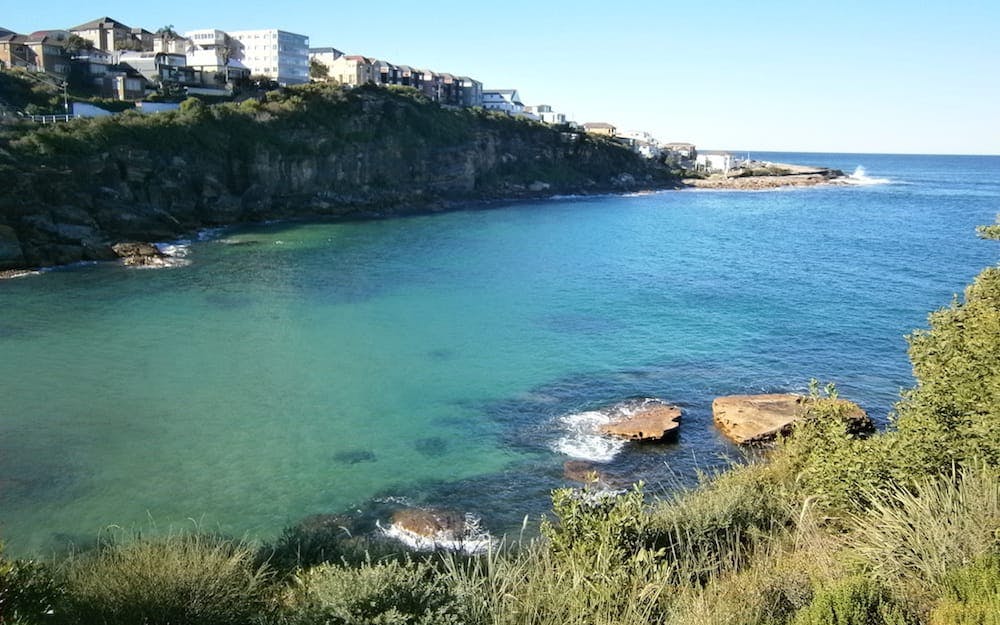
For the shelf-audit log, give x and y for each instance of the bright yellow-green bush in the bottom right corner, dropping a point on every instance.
(972, 595)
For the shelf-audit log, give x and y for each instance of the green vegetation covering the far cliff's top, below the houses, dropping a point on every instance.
(311, 118)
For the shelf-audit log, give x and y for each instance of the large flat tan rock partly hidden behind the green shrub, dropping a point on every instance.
(760, 418)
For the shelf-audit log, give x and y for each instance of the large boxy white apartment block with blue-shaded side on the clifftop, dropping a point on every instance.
(274, 53)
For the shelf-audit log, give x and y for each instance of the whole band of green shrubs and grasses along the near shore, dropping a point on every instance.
(901, 528)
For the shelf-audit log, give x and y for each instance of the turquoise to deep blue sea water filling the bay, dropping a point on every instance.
(298, 369)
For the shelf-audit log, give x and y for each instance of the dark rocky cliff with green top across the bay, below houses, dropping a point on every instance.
(312, 152)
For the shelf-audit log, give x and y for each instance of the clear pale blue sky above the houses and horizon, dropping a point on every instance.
(831, 76)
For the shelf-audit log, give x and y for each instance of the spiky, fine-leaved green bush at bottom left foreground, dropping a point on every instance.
(175, 579)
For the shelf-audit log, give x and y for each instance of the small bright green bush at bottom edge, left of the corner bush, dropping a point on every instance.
(854, 601)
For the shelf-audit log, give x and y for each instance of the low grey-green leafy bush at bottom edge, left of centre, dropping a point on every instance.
(387, 593)
